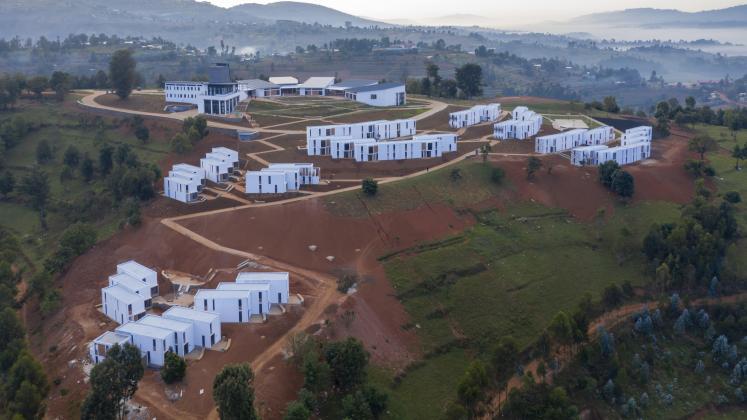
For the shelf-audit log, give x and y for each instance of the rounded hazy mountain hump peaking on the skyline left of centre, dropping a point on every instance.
(301, 12)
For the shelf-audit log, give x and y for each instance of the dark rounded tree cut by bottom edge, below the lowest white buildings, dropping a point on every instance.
(233, 393)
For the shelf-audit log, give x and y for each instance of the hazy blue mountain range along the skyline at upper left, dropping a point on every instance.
(179, 20)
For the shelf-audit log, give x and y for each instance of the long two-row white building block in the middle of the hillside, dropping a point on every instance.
(377, 140)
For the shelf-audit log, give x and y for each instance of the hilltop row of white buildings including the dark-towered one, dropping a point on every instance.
(220, 94)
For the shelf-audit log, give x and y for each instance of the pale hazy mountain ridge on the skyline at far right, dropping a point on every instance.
(646, 17)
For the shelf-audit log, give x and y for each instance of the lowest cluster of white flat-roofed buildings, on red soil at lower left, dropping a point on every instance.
(181, 329)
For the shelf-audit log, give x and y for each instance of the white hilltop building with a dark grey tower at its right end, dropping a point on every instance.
(218, 96)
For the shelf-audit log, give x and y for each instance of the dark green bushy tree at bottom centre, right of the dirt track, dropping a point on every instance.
(347, 360)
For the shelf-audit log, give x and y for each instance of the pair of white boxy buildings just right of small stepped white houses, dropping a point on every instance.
(280, 178)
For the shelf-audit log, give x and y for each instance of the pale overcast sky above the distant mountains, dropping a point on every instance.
(504, 11)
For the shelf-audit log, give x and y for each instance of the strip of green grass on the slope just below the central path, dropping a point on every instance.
(433, 188)
